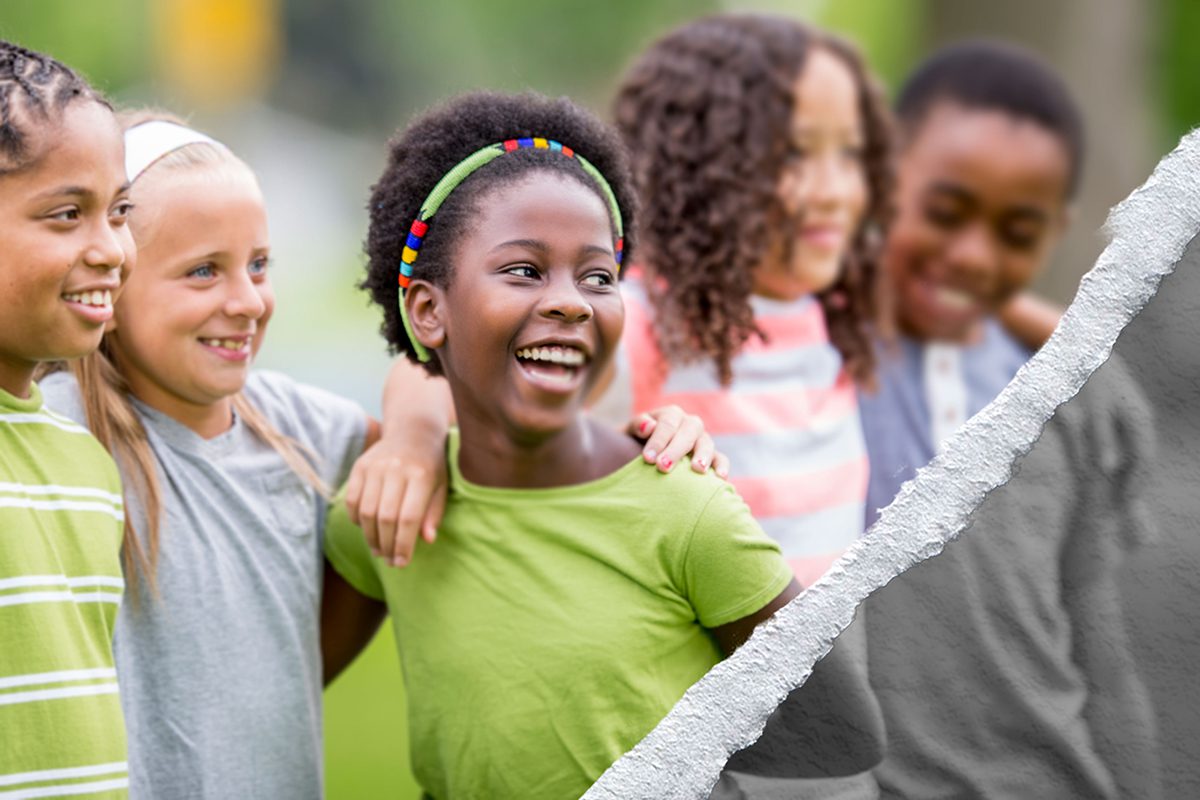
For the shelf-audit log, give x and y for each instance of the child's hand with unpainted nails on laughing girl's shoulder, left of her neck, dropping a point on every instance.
(397, 491)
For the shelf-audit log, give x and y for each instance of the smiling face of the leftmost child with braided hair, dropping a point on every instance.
(64, 244)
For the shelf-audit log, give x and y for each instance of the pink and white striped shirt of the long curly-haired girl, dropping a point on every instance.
(789, 423)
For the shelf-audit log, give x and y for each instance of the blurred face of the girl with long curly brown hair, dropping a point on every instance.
(824, 188)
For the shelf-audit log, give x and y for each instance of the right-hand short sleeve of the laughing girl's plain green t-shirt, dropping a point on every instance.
(731, 568)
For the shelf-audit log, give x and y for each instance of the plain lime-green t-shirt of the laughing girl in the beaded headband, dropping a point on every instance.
(548, 631)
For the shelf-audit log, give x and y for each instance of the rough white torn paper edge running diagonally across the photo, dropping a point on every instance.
(728, 709)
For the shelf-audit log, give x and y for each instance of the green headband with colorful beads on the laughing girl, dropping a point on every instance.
(457, 176)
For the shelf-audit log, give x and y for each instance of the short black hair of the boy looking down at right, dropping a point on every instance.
(988, 75)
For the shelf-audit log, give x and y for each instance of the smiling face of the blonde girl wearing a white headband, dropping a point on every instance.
(194, 315)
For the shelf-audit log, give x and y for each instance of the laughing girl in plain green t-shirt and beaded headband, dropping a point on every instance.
(575, 592)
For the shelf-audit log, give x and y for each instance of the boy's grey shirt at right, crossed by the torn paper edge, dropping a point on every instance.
(1003, 664)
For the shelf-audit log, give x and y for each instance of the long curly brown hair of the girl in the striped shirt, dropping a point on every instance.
(706, 115)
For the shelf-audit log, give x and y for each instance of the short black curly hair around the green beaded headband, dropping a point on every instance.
(421, 157)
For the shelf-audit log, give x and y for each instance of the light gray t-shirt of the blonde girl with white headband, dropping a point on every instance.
(221, 675)
